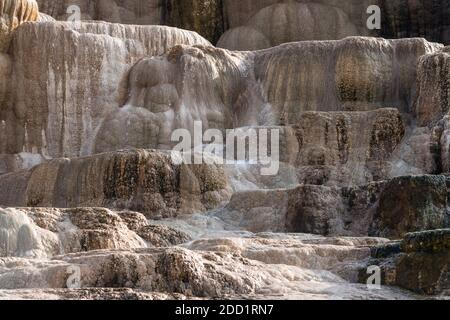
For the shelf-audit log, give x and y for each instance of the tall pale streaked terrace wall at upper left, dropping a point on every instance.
(68, 100)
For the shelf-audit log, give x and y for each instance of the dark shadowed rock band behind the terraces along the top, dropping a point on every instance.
(251, 25)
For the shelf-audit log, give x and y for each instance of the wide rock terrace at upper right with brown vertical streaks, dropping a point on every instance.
(353, 74)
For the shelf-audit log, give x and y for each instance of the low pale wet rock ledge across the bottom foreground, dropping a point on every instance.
(207, 268)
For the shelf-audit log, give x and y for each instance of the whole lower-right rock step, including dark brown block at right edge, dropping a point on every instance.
(387, 209)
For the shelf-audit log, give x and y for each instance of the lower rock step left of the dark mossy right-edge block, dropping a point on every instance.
(322, 210)
